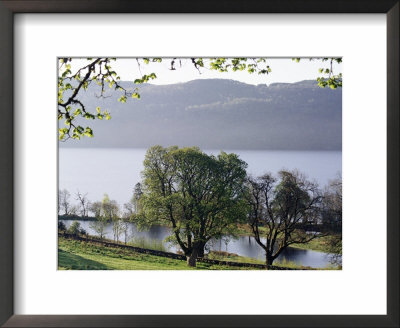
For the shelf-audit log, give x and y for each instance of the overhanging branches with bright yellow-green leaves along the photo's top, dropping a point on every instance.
(99, 71)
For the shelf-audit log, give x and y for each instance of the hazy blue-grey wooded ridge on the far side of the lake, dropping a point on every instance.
(219, 114)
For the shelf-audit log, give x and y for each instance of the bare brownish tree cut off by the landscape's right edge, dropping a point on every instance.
(332, 218)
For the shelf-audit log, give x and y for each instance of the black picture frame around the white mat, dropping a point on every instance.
(10, 7)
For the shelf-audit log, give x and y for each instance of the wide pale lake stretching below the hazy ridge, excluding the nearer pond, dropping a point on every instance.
(116, 171)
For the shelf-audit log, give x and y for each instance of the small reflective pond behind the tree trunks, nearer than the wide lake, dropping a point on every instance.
(244, 246)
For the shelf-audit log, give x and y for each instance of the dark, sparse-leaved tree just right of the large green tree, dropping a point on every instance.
(279, 212)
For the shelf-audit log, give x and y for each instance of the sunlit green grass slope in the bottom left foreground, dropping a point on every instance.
(77, 255)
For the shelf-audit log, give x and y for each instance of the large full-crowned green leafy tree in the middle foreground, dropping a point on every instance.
(199, 196)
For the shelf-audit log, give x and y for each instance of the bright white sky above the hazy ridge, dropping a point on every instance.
(283, 70)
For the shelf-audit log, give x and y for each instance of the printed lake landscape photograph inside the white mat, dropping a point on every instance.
(185, 165)
